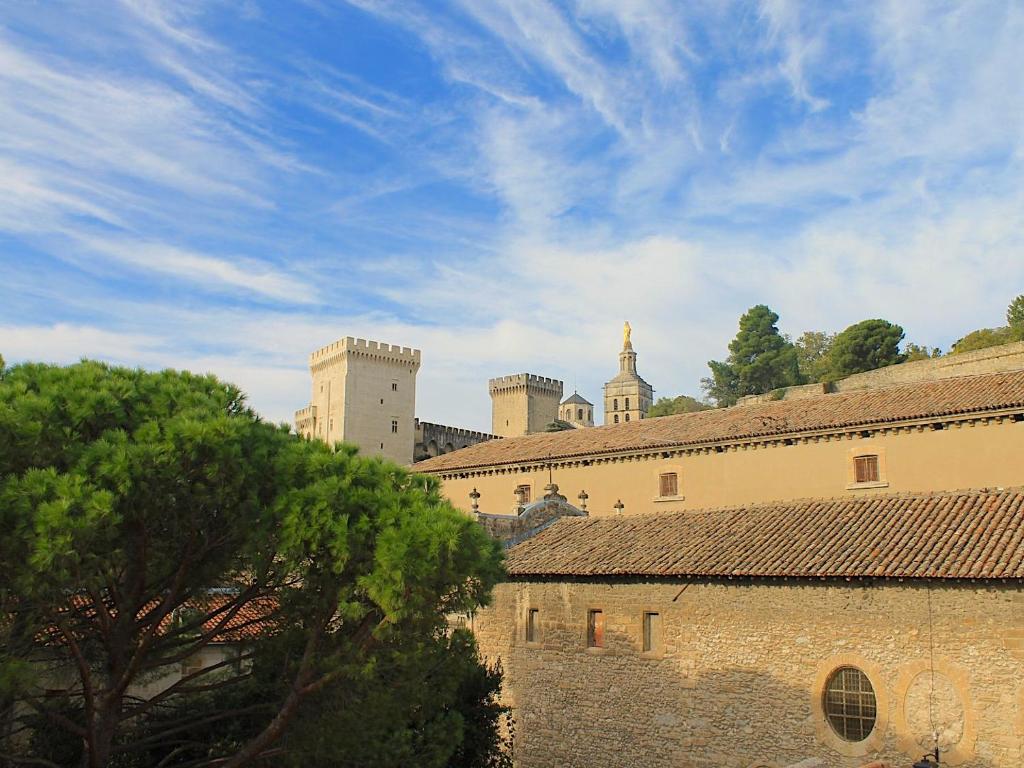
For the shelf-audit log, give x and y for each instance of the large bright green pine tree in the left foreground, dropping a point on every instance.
(149, 516)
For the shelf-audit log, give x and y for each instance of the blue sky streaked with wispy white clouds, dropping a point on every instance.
(227, 186)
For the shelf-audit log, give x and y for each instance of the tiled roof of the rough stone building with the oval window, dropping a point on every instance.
(963, 535)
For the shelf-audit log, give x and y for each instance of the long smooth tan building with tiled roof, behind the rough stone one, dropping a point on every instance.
(933, 436)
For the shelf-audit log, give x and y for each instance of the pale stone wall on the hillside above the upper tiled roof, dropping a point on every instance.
(991, 361)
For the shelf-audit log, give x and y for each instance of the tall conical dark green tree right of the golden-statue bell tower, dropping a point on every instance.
(760, 360)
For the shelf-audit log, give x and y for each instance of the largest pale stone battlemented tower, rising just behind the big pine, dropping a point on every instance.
(365, 394)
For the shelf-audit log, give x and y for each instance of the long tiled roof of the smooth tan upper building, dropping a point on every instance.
(968, 395)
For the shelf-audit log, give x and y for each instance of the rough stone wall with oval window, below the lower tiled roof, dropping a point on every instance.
(739, 677)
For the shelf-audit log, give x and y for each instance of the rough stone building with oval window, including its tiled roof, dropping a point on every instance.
(722, 635)
